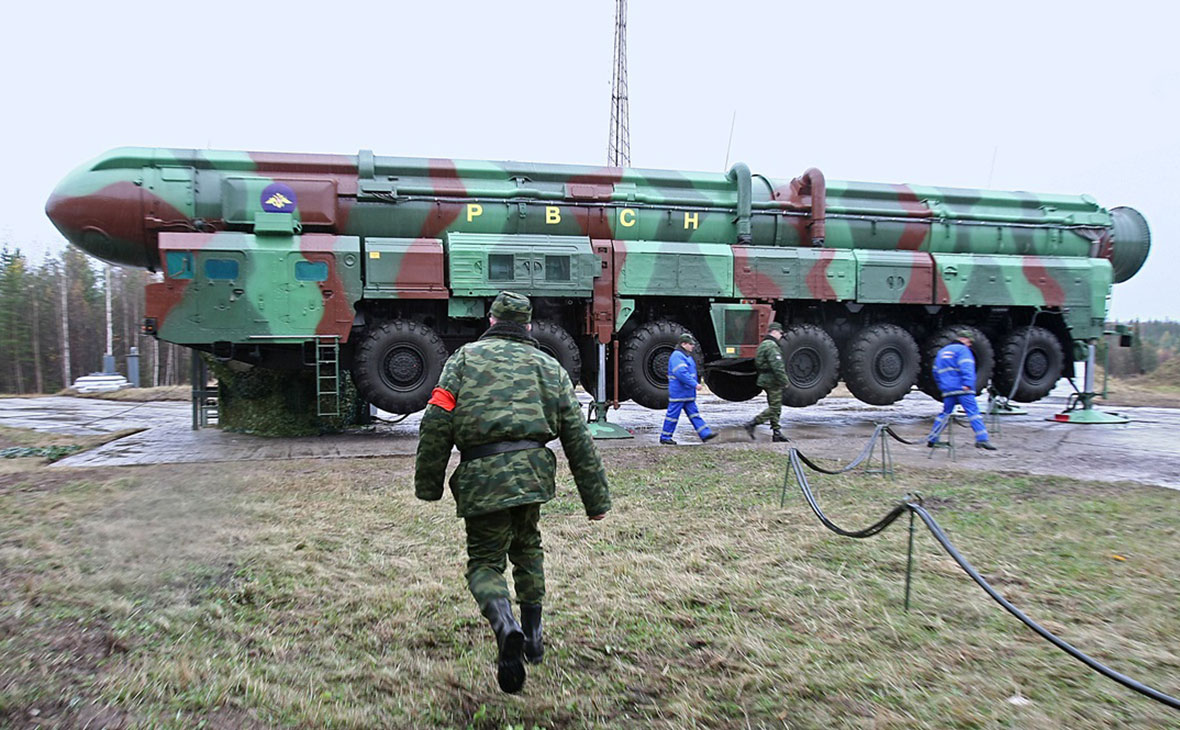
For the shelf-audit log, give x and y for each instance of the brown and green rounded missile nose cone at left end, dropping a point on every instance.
(102, 214)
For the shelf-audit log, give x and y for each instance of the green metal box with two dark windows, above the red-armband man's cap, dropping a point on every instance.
(484, 265)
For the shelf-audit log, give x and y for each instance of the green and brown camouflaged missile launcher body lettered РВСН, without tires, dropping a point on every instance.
(605, 253)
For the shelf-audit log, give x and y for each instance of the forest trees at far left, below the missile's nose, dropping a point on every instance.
(54, 324)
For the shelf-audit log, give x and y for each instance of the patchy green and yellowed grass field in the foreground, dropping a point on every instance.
(320, 594)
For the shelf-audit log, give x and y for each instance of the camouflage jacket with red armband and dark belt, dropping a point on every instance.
(503, 389)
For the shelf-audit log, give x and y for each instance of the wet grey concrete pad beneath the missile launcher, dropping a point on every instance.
(1144, 451)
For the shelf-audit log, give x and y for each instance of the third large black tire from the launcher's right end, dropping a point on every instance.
(881, 365)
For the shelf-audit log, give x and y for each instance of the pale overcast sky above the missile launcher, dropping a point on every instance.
(1046, 97)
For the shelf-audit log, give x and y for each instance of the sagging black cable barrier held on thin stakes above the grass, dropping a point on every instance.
(913, 504)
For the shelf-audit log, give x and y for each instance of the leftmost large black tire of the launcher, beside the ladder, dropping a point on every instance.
(397, 365)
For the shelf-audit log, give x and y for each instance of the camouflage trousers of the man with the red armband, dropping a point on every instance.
(510, 534)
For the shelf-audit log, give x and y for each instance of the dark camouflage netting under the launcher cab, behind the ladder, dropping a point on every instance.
(280, 403)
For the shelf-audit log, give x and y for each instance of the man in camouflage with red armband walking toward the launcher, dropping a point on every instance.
(500, 400)
